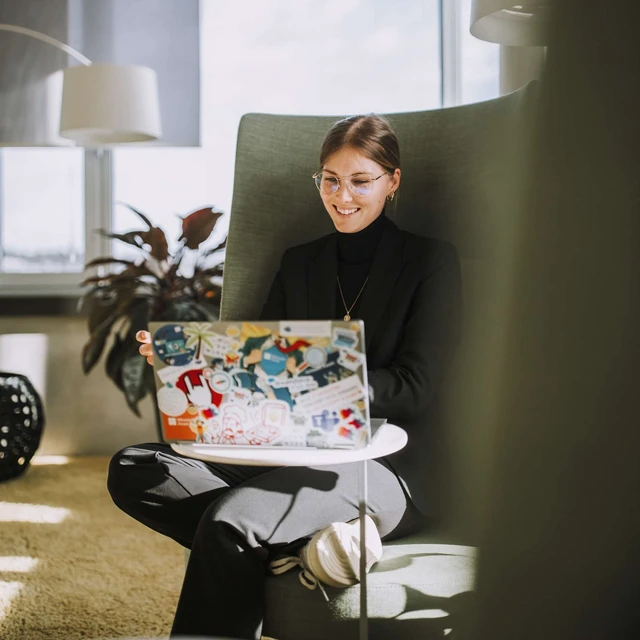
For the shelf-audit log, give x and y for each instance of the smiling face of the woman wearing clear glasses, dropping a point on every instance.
(351, 213)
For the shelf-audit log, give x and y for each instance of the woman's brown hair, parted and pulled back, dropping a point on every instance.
(369, 134)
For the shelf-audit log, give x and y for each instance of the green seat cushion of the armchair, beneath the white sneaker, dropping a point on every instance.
(418, 589)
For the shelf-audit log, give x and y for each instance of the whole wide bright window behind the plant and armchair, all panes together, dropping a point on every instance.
(334, 57)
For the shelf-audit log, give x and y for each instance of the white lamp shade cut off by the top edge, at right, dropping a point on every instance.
(510, 22)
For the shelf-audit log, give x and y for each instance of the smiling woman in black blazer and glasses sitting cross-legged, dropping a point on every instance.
(407, 291)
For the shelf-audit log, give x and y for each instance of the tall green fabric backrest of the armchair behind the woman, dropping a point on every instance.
(452, 188)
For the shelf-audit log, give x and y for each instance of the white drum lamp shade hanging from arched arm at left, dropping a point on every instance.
(104, 104)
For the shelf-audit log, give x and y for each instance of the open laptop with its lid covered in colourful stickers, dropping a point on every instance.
(296, 384)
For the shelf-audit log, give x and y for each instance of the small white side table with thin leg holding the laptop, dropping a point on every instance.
(387, 440)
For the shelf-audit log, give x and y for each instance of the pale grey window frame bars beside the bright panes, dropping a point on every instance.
(98, 180)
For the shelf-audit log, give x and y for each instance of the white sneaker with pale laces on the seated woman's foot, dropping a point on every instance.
(332, 556)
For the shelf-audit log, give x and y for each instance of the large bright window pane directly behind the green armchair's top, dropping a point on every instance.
(282, 56)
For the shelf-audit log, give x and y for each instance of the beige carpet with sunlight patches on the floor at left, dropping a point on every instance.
(78, 567)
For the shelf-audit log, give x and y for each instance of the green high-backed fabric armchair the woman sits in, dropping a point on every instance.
(422, 585)
